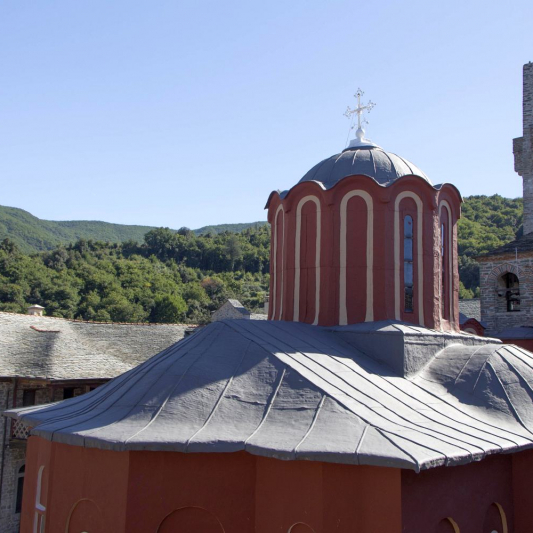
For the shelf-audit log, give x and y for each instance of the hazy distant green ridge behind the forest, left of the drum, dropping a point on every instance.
(32, 234)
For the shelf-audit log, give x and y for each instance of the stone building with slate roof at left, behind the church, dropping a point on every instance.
(44, 360)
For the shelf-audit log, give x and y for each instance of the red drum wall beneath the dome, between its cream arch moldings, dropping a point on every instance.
(383, 251)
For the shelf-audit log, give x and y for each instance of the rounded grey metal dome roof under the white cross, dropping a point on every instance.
(370, 161)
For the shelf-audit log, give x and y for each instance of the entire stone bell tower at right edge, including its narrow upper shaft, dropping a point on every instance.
(506, 274)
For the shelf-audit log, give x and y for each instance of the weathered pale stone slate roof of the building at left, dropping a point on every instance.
(59, 349)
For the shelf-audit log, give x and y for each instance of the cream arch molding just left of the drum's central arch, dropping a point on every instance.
(301, 203)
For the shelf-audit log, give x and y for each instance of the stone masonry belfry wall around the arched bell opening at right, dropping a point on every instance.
(494, 307)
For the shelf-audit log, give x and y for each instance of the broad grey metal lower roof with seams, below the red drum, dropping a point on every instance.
(294, 391)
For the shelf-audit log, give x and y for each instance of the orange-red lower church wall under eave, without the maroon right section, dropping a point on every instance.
(141, 492)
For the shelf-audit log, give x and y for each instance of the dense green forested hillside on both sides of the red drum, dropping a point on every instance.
(182, 277)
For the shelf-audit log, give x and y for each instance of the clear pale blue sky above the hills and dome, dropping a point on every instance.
(188, 113)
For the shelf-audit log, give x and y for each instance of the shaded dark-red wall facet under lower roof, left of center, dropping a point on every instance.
(222, 485)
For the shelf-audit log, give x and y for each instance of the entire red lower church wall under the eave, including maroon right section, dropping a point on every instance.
(140, 492)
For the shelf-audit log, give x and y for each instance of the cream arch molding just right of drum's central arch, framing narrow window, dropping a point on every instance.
(419, 255)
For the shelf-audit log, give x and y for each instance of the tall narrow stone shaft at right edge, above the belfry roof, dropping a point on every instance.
(523, 149)
